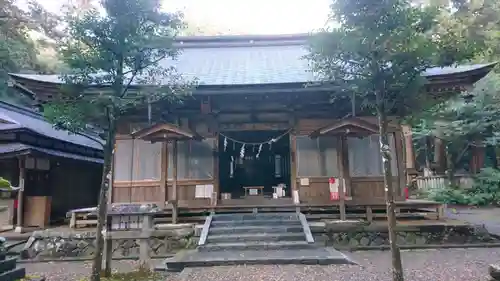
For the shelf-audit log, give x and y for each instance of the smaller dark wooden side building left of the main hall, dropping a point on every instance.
(58, 171)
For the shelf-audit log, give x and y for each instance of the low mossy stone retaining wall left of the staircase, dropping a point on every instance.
(164, 241)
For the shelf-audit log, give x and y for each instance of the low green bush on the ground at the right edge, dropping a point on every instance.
(484, 192)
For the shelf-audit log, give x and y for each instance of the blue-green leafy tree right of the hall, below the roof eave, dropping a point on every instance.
(463, 122)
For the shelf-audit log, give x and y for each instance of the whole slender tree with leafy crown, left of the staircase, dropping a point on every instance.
(123, 51)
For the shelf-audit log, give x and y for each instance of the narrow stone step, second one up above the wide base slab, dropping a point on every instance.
(269, 237)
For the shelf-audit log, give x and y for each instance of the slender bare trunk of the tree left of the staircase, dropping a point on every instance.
(103, 201)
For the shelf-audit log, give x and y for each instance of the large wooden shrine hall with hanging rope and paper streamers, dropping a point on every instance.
(252, 135)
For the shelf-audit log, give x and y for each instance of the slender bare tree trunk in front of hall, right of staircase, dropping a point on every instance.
(385, 150)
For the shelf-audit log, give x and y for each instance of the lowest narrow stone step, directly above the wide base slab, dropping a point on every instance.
(254, 245)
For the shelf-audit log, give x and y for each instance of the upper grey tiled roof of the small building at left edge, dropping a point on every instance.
(33, 121)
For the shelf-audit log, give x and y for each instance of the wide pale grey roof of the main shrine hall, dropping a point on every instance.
(245, 60)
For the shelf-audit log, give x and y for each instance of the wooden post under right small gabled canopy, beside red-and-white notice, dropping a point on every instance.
(345, 184)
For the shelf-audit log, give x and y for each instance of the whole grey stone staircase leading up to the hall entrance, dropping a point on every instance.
(258, 238)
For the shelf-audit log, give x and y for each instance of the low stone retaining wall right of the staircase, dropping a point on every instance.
(352, 235)
